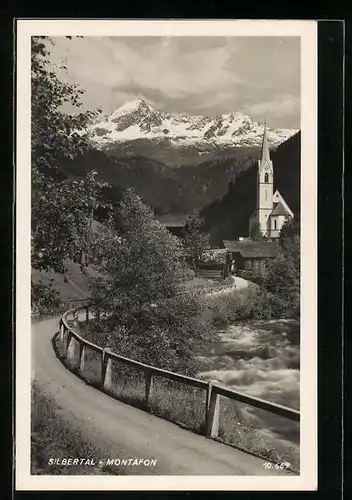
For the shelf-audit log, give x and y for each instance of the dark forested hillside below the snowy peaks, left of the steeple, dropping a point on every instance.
(166, 189)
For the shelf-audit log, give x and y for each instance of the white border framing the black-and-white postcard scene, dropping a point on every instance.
(307, 31)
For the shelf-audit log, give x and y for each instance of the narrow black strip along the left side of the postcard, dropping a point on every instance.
(6, 254)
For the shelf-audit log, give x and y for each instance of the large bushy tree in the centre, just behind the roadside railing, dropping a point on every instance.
(147, 311)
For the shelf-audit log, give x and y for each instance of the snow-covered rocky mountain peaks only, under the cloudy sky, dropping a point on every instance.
(138, 120)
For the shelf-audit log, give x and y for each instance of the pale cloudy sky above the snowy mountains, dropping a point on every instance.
(259, 76)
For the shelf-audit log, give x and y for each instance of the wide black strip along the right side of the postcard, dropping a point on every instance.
(330, 230)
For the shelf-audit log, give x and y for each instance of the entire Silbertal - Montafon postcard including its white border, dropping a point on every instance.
(166, 232)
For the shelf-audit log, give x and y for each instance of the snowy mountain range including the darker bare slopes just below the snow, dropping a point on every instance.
(178, 138)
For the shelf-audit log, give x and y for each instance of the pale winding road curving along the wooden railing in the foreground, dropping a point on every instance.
(122, 431)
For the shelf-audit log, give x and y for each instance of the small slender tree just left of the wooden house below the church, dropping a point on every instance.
(196, 242)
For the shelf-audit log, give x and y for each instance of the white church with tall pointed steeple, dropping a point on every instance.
(271, 210)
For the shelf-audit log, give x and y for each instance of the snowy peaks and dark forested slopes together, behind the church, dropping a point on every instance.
(173, 175)
